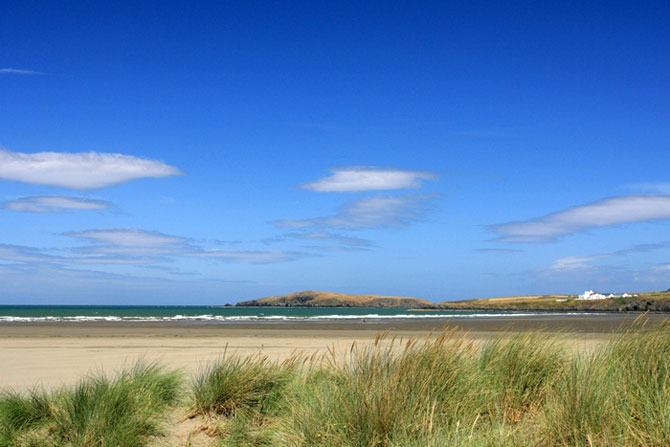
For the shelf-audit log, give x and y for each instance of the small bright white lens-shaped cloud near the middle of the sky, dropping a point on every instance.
(361, 178)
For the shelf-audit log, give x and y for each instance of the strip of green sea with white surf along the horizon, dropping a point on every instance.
(215, 314)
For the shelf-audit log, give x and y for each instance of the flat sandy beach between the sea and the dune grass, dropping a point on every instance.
(51, 354)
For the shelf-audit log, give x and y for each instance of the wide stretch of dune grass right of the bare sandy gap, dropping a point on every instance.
(527, 389)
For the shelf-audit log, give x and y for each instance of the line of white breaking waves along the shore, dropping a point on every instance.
(254, 318)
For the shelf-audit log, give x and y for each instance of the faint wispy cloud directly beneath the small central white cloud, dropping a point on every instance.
(370, 212)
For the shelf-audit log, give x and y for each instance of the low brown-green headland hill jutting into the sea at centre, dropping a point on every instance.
(328, 299)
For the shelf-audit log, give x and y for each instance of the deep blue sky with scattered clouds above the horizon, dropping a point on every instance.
(208, 152)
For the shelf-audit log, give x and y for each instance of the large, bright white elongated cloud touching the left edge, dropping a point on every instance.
(79, 170)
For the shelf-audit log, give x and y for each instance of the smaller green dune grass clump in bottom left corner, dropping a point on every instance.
(121, 411)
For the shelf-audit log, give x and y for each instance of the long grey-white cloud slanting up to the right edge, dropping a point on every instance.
(607, 212)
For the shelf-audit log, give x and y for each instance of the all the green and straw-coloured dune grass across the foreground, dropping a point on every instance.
(528, 389)
